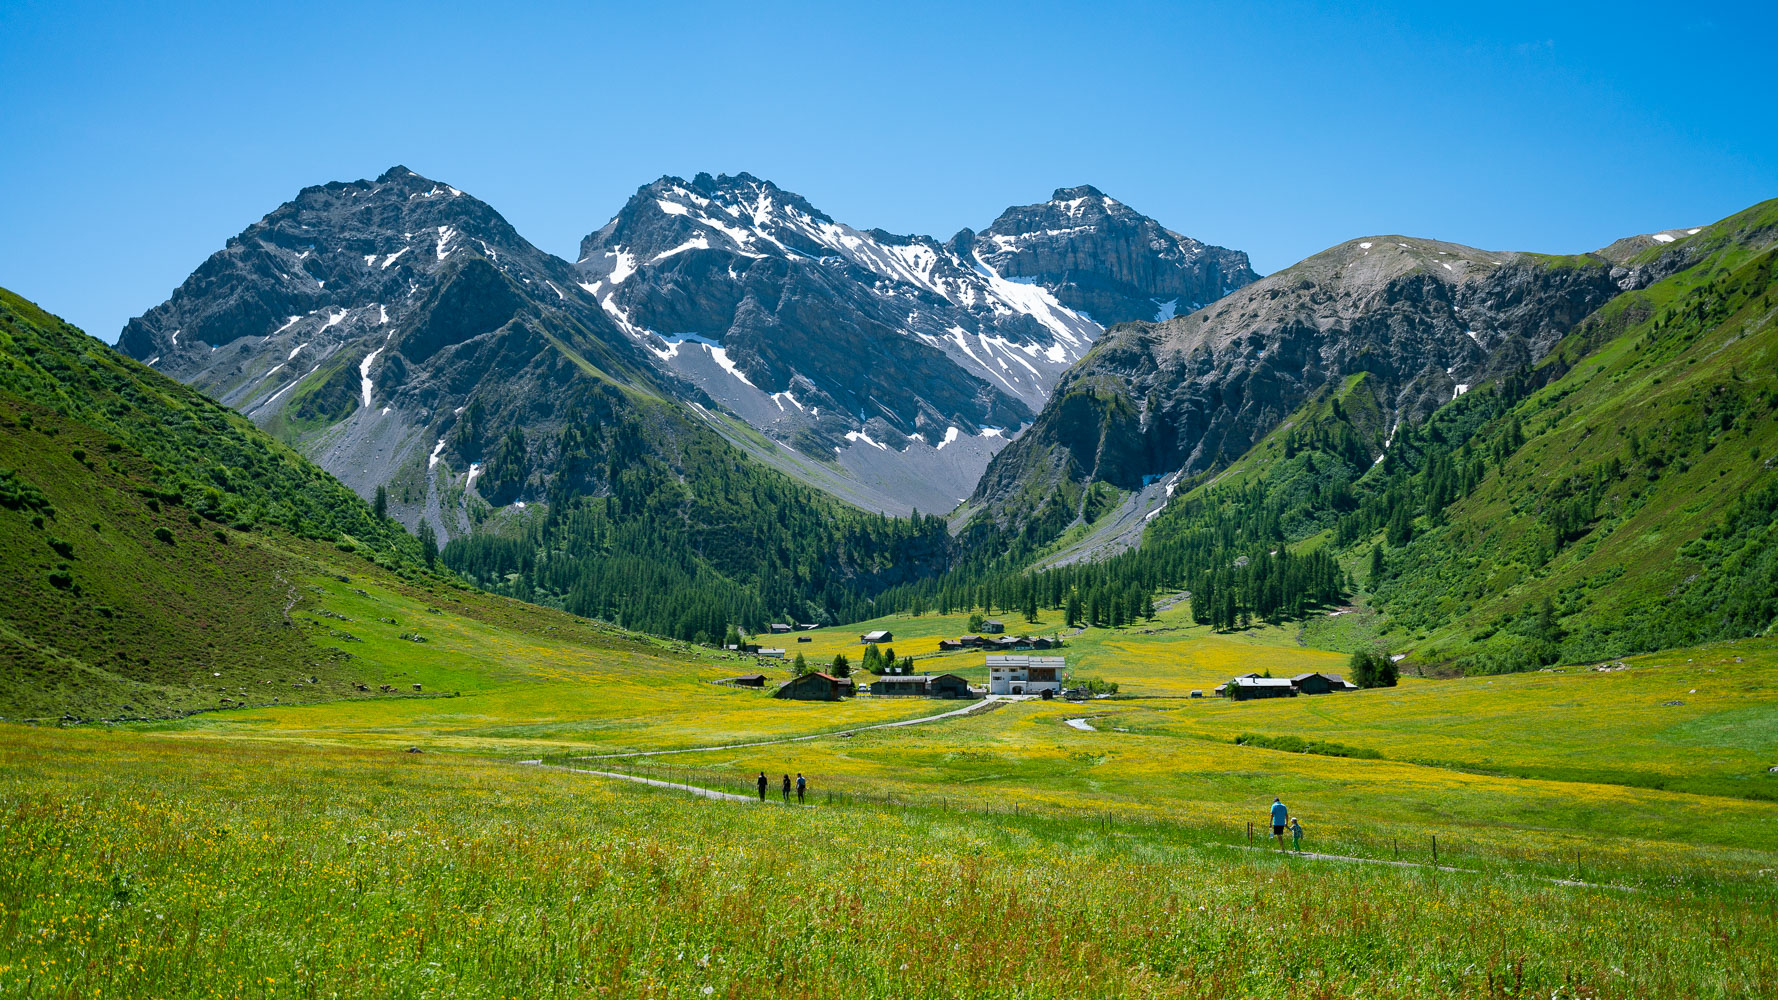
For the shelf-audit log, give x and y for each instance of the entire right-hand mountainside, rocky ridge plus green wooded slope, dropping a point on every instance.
(1605, 485)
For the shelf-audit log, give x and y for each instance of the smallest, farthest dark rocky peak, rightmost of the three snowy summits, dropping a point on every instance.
(1107, 261)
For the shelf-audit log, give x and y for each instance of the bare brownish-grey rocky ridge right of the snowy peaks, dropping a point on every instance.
(1425, 319)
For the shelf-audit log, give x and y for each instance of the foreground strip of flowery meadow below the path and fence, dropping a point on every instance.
(141, 866)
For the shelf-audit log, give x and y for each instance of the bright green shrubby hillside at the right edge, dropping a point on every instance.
(1631, 488)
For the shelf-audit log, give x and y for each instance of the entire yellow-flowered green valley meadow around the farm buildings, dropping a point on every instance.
(298, 851)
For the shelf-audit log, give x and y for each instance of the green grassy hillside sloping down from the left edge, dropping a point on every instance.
(166, 558)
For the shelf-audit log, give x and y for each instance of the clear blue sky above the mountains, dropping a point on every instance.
(140, 141)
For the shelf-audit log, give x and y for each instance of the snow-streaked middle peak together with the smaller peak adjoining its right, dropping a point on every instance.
(869, 350)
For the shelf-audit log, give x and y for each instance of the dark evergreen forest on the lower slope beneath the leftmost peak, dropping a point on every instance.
(682, 536)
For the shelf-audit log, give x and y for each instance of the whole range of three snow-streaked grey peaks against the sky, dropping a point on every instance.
(364, 319)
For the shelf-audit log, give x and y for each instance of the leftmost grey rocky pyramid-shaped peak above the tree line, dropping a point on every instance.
(362, 319)
